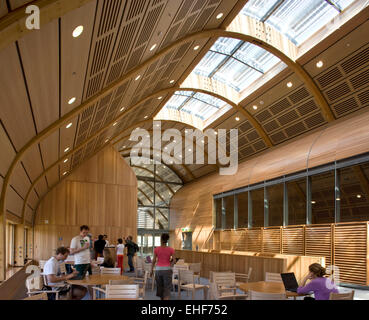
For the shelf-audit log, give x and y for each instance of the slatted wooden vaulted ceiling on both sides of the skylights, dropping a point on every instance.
(42, 70)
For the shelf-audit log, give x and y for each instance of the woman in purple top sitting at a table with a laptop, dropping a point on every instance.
(320, 285)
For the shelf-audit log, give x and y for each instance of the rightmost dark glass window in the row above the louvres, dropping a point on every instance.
(354, 189)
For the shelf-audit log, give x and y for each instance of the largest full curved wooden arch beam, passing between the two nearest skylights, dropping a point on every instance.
(309, 83)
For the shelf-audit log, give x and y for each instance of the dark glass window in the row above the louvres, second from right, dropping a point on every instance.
(323, 198)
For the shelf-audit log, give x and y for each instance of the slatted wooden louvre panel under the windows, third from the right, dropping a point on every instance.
(293, 240)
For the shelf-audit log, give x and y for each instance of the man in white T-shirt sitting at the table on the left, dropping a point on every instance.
(54, 277)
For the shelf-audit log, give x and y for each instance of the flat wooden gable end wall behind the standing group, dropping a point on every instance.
(102, 193)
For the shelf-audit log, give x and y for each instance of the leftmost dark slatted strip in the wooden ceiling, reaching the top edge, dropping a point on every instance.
(108, 18)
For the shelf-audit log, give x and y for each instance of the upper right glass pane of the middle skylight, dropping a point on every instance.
(256, 57)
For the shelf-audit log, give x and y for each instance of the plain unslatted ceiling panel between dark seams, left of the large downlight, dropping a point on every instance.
(40, 57)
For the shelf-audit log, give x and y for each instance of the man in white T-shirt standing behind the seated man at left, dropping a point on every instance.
(80, 248)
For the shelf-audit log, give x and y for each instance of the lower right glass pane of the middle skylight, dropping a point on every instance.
(237, 75)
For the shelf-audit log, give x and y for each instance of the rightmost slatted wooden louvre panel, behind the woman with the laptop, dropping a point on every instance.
(350, 252)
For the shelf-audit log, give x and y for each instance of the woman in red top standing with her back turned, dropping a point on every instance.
(164, 256)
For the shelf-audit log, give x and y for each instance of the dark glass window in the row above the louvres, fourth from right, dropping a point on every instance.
(275, 202)
